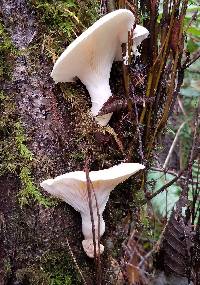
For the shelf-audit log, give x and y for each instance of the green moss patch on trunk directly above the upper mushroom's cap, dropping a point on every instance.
(63, 21)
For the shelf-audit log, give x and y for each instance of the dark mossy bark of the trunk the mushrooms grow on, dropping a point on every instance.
(57, 137)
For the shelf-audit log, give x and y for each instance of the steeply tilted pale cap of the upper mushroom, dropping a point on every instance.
(106, 31)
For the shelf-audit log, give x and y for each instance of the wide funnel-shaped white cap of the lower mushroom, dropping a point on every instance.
(72, 187)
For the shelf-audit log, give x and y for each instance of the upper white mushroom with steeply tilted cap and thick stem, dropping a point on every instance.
(90, 57)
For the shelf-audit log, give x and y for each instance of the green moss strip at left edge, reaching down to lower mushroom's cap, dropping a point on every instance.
(14, 153)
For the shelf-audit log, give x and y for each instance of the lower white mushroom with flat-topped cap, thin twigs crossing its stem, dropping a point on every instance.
(72, 188)
